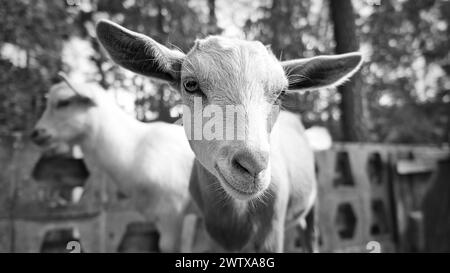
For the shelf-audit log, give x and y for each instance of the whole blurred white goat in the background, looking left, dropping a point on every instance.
(150, 162)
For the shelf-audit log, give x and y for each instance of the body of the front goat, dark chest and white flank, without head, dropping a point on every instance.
(258, 225)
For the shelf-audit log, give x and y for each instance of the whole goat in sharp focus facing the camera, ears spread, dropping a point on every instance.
(251, 186)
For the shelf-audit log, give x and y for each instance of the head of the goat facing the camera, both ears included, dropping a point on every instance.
(220, 72)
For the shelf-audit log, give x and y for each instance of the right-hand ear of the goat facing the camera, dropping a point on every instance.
(322, 71)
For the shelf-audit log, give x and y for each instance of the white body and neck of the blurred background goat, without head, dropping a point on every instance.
(149, 163)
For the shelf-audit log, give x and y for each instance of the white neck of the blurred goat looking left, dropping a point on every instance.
(112, 141)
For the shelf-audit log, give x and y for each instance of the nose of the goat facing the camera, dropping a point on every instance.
(250, 162)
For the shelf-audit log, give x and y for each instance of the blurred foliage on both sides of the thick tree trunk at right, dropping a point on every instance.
(406, 75)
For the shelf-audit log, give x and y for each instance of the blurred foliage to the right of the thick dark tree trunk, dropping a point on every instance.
(408, 81)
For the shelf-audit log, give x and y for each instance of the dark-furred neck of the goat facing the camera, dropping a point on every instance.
(230, 222)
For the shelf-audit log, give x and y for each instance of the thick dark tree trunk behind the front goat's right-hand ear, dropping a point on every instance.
(352, 110)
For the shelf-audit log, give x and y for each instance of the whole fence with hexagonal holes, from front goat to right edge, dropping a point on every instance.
(371, 198)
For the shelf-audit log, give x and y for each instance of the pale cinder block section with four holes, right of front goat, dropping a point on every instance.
(357, 210)
